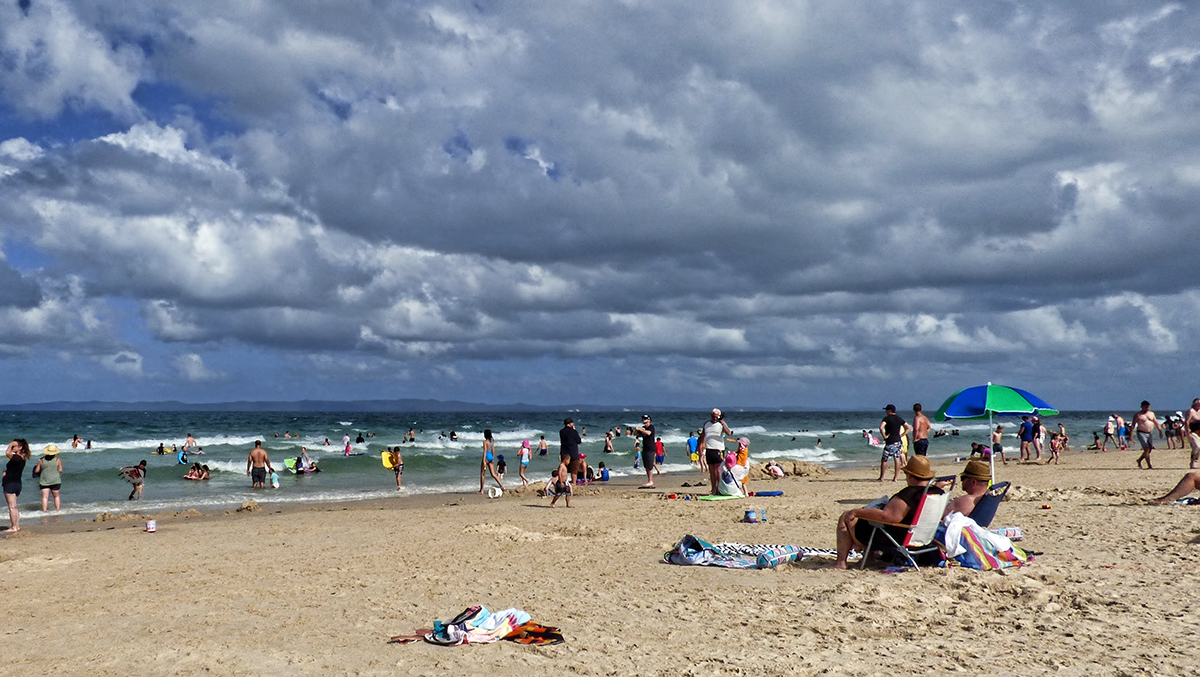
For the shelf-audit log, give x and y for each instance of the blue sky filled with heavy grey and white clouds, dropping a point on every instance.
(819, 205)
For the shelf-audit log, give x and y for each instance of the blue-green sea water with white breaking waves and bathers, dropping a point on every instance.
(435, 464)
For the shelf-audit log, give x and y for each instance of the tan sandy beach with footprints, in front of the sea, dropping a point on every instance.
(320, 590)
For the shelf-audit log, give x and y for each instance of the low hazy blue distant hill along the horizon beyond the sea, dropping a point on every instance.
(317, 406)
